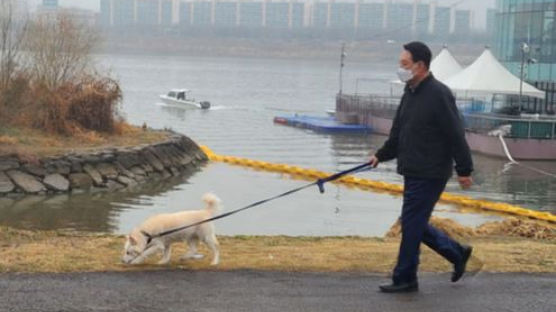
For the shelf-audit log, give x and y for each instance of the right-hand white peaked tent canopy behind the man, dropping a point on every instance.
(487, 75)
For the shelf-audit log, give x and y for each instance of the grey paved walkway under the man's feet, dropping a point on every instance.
(270, 291)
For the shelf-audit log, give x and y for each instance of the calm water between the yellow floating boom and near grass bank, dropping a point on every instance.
(339, 211)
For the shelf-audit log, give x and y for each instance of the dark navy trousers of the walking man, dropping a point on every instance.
(419, 197)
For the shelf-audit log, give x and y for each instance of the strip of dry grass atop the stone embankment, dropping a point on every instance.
(32, 144)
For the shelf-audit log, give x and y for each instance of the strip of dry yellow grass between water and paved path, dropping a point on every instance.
(25, 251)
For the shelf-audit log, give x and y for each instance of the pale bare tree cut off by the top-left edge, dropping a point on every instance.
(13, 26)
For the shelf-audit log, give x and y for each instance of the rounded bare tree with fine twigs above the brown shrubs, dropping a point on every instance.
(59, 48)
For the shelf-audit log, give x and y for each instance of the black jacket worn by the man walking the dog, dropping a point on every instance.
(427, 134)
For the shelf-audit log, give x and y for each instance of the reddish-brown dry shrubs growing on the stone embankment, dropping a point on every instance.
(87, 103)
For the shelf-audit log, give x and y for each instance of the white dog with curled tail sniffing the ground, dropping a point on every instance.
(136, 248)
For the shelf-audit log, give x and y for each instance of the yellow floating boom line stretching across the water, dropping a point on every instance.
(366, 184)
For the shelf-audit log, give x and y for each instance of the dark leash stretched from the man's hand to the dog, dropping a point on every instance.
(319, 183)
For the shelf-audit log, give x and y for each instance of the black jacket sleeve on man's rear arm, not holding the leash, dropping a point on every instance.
(452, 125)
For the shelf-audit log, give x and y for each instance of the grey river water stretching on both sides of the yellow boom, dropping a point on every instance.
(246, 93)
